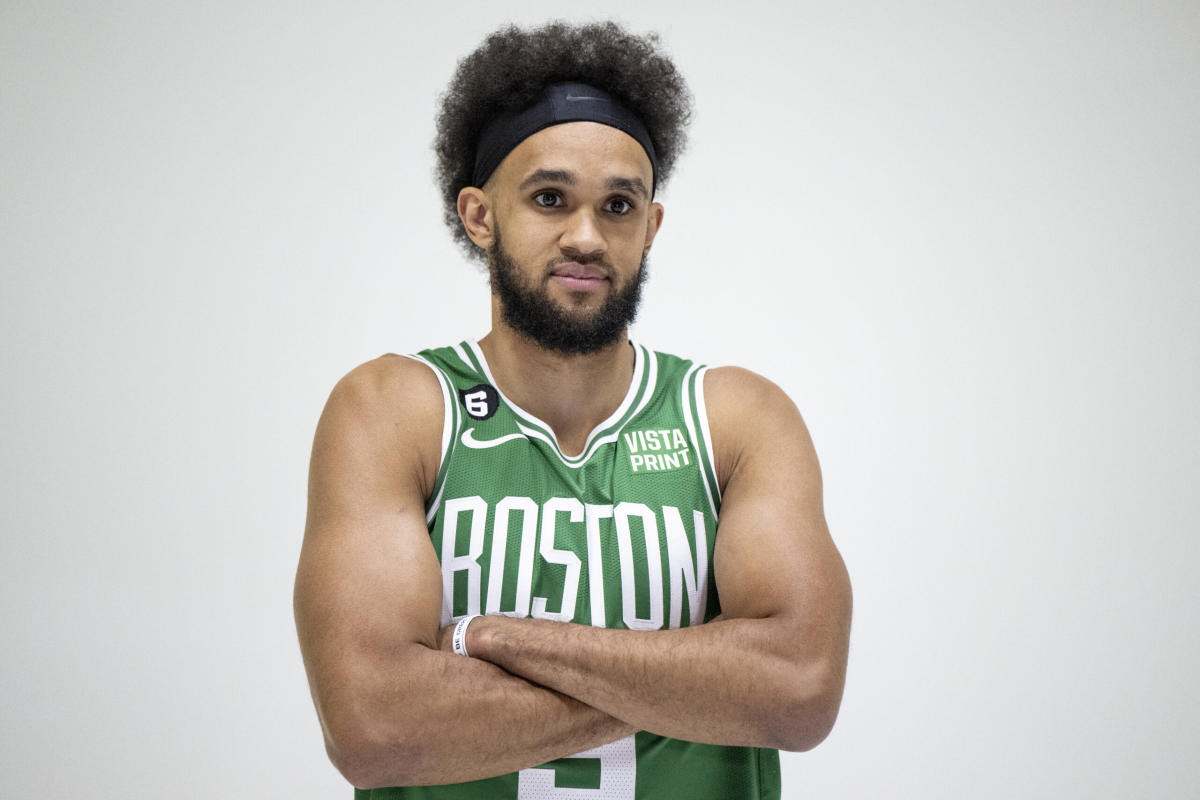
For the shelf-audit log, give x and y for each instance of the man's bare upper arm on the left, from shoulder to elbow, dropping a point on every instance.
(369, 584)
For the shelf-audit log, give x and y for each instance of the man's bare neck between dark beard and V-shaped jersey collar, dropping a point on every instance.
(573, 394)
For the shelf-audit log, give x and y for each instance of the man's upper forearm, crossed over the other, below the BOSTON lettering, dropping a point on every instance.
(731, 682)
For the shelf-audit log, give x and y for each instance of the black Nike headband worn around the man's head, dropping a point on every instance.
(565, 103)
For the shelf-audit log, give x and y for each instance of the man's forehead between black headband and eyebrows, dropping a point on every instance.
(592, 151)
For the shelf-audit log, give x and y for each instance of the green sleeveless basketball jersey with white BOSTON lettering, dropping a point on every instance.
(621, 537)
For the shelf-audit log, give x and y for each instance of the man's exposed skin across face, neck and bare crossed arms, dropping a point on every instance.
(397, 707)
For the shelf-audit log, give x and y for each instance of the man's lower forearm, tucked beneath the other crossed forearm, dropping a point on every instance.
(448, 719)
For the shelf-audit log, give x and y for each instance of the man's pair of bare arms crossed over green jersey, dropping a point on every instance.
(398, 708)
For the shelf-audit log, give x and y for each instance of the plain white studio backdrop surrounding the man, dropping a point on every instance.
(964, 237)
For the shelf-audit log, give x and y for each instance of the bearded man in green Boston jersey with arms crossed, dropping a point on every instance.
(553, 563)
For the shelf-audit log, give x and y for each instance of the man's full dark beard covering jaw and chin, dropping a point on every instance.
(527, 308)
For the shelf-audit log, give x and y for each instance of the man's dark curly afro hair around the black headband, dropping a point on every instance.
(512, 68)
